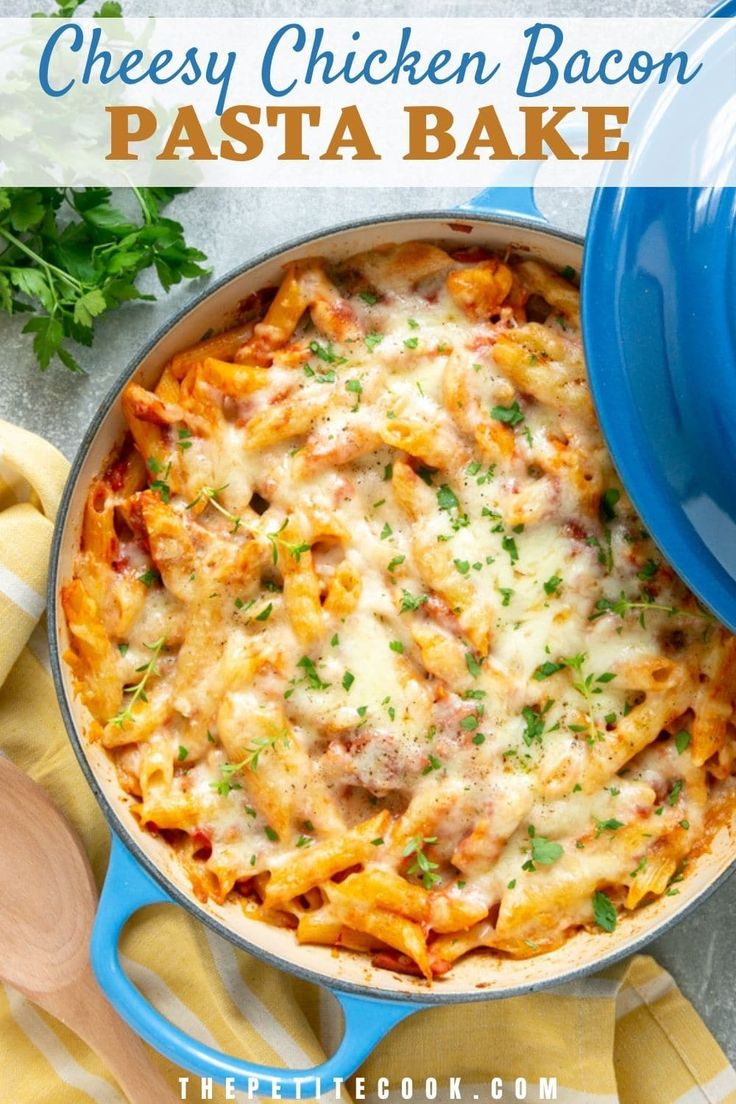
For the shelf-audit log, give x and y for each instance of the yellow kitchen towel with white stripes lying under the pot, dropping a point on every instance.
(626, 1036)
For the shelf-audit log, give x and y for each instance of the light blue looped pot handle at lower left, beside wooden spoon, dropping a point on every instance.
(127, 889)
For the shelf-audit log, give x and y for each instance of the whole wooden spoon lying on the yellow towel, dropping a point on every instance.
(49, 900)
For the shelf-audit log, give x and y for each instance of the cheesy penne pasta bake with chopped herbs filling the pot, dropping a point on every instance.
(374, 635)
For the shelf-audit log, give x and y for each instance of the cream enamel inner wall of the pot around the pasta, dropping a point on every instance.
(479, 974)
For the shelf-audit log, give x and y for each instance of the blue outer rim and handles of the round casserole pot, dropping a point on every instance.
(134, 880)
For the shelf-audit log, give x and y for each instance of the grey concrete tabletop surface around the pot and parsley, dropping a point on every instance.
(232, 226)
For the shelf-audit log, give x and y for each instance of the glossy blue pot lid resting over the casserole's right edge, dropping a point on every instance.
(659, 323)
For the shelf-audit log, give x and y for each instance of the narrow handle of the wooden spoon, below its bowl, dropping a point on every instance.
(84, 1009)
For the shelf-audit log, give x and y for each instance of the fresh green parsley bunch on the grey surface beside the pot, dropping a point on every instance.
(69, 256)
